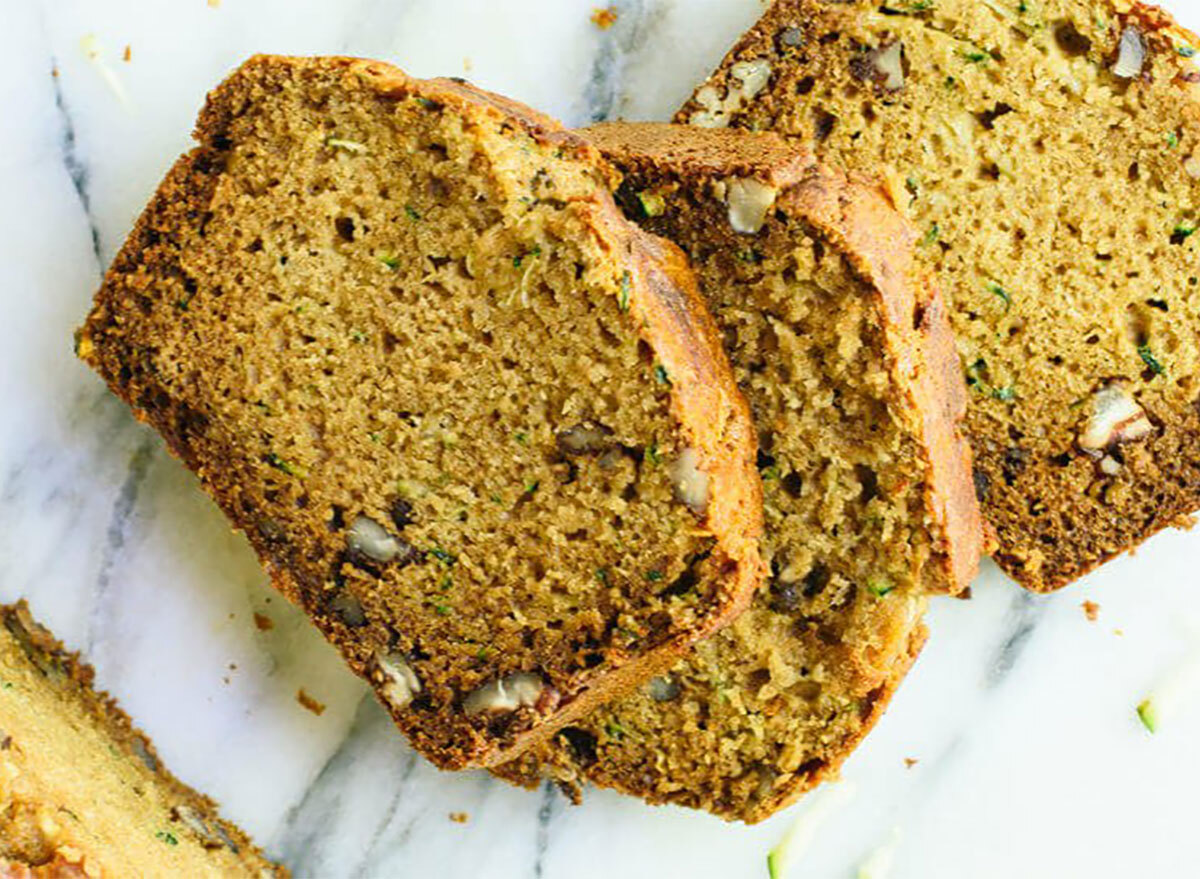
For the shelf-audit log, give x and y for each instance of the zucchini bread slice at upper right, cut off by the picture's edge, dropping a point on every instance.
(1049, 154)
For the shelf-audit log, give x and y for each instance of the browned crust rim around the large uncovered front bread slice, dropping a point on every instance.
(664, 309)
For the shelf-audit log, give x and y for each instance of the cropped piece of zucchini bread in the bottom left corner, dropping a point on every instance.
(82, 792)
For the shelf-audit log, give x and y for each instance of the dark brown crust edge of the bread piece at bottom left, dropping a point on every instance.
(44, 648)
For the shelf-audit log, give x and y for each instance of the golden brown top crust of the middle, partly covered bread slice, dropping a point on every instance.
(856, 214)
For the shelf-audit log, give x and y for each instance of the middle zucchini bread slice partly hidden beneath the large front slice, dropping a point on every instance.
(847, 358)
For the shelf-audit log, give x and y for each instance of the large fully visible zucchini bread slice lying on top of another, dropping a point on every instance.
(475, 423)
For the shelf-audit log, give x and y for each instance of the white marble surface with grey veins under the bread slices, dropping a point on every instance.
(1021, 715)
